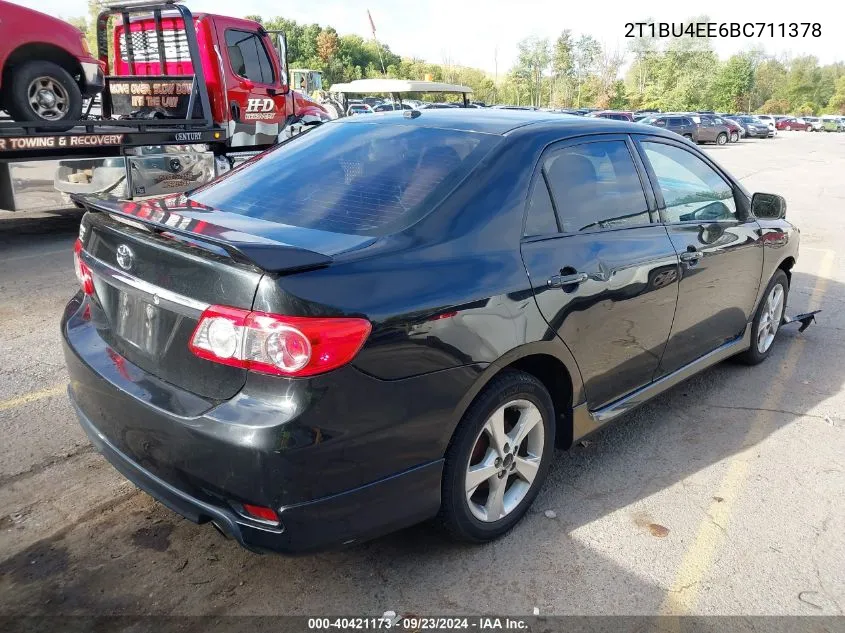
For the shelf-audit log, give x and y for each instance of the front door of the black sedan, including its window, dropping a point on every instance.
(718, 247)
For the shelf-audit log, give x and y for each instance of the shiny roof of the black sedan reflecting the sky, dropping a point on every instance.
(503, 122)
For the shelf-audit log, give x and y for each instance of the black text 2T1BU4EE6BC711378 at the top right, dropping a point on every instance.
(723, 29)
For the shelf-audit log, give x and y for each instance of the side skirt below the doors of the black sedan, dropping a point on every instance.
(585, 422)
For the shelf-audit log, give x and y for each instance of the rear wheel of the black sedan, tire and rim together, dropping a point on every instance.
(498, 458)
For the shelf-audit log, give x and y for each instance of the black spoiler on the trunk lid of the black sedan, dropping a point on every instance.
(268, 255)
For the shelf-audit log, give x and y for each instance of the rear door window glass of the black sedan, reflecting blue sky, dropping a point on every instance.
(596, 186)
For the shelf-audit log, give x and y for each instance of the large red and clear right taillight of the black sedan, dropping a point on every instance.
(276, 344)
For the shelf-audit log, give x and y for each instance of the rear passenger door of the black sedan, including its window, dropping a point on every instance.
(602, 268)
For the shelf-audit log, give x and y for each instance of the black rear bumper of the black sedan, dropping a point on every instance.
(341, 458)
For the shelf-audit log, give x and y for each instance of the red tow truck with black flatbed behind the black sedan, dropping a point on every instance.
(186, 97)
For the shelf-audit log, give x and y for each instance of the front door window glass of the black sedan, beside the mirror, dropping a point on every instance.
(692, 190)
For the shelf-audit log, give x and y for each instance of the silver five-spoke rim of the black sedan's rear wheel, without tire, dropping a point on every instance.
(504, 460)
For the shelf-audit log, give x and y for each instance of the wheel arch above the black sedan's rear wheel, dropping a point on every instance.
(551, 364)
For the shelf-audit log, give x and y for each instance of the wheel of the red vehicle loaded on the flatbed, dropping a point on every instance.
(44, 91)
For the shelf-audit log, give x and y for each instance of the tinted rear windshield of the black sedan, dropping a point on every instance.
(357, 178)
